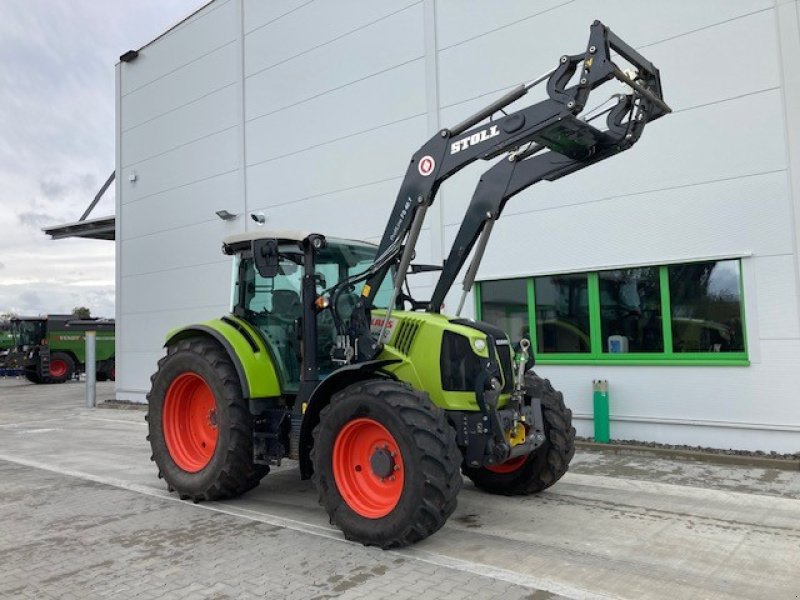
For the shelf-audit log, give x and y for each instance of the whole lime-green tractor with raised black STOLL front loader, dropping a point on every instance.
(385, 401)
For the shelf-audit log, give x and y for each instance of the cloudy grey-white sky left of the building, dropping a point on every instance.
(57, 62)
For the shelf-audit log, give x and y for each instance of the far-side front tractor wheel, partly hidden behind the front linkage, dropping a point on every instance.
(545, 465)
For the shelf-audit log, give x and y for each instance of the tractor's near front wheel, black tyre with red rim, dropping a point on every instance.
(386, 464)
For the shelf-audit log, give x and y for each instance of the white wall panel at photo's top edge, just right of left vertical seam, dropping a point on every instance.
(311, 26)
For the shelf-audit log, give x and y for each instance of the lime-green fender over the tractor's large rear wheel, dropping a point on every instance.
(250, 356)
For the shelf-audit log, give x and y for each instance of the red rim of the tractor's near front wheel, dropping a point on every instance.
(368, 468)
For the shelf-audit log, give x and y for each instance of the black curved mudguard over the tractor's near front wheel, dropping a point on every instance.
(321, 397)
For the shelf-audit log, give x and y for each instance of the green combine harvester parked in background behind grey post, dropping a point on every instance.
(49, 351)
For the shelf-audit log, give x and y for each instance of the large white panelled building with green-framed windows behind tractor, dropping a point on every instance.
(671, 270)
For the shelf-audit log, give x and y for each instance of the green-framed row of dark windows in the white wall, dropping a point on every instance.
(671, 314)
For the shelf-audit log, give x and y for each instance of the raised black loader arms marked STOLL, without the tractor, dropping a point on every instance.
(551, 124)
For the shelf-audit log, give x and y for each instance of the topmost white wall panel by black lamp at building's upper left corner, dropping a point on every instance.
(206, 31)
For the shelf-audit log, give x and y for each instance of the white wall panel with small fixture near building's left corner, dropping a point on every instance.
(210, 156)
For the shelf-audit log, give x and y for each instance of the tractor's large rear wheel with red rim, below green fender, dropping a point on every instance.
(200, 427)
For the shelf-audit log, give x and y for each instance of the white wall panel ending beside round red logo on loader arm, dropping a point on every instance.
(369, 157)
